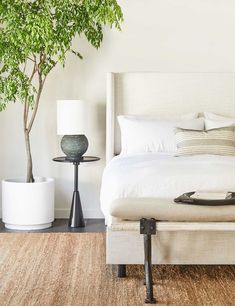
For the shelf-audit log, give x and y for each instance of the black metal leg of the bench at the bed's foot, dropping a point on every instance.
(148, 228)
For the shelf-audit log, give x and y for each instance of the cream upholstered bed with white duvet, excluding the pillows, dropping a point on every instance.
(147, 176)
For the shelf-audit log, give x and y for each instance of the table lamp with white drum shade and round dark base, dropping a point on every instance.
(72, 123)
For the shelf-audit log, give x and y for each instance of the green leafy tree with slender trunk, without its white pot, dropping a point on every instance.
(35, 36)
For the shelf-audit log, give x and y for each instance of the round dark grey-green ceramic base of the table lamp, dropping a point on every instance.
(74, 146)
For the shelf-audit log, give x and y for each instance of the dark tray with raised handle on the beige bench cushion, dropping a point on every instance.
(185, 198)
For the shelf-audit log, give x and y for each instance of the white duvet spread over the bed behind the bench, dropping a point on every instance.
(164, 175)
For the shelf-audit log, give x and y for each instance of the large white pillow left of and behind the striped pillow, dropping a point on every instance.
(142, 135)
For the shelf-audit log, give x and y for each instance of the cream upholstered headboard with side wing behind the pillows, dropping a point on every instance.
(164, 94)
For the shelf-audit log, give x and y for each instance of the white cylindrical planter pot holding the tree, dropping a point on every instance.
(28, 206)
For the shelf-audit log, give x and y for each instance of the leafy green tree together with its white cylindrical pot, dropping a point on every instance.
(35, 36)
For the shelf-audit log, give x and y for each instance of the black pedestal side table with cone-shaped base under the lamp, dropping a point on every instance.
(76, 215)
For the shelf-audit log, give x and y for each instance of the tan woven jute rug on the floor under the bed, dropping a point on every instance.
(69, 269)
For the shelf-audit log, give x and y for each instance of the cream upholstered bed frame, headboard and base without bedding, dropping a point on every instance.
(163, 95)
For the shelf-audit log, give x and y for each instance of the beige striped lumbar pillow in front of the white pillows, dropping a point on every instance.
(220, 141)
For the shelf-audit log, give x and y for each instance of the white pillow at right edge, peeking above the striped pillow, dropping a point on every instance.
(213, 121)
